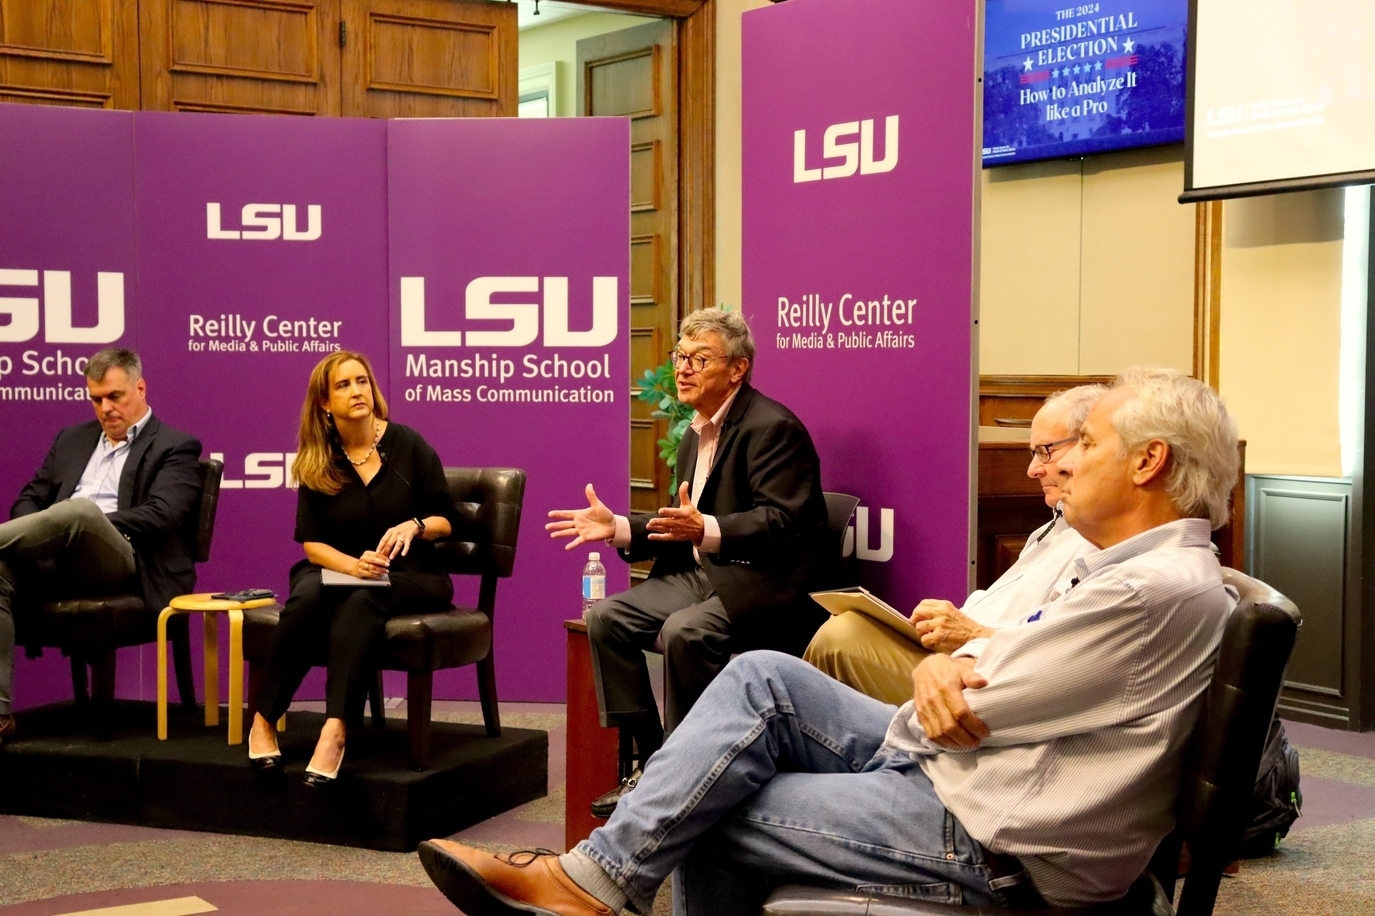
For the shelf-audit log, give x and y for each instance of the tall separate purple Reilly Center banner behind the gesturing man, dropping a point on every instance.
(860, 192)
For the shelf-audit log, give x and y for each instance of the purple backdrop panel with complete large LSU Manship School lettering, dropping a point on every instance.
(511, 334)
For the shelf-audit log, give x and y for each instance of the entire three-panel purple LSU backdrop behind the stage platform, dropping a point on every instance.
(234, 252)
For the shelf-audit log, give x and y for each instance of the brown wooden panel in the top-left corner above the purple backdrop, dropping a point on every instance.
(63, 53)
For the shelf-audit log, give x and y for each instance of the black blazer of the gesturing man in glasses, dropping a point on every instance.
(765, 492)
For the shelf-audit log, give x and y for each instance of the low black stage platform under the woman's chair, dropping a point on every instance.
(197, 782)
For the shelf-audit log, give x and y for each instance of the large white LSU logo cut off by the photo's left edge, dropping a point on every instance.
(23, 312)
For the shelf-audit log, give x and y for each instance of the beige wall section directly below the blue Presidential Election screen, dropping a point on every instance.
(1087, 266)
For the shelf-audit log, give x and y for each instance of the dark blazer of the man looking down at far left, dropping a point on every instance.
(160, 483)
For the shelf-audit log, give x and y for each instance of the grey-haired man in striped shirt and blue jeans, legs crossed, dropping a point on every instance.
(1039, 767)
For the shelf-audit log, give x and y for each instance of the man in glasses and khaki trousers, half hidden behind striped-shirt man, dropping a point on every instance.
(878, 662)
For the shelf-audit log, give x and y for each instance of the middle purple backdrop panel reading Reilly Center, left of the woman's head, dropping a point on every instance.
(262, 250)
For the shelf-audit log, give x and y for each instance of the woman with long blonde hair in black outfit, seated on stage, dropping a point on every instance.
(372, 500)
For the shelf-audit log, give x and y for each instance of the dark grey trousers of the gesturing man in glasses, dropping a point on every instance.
(698, 644)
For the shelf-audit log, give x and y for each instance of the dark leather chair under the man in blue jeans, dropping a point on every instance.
(1215, 796)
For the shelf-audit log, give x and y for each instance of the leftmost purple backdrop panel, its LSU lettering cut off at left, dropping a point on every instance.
(68, 281)
